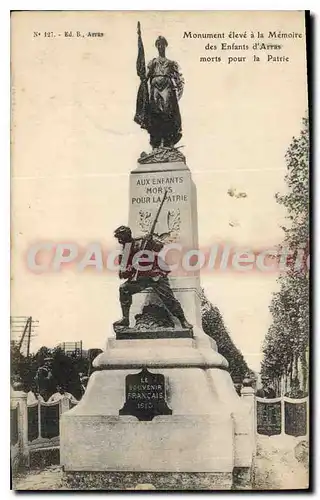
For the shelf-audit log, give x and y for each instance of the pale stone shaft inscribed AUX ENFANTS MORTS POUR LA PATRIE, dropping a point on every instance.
(178, 225)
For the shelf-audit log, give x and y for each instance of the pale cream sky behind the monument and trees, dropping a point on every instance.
(74, 144)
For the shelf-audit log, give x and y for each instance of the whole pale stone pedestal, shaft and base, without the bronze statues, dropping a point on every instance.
(205, 433)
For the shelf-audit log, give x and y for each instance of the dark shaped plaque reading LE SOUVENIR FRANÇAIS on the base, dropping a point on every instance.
(145, 396)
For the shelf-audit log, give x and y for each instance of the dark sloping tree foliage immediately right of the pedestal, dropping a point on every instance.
(213, 325)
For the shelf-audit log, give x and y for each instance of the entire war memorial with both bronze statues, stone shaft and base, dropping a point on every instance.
(161, 407)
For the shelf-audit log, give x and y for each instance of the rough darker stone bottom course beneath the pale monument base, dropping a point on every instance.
(177, 481)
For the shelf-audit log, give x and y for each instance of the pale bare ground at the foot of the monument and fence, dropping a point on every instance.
(281, 463)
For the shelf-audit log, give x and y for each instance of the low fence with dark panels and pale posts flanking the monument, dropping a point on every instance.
(35, 426)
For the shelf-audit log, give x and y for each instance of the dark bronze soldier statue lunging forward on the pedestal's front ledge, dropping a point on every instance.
(138, 279)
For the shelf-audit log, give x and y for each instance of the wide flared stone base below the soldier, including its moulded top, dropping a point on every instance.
(208, 432)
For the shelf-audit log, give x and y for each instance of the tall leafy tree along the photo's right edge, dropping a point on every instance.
(286, 342)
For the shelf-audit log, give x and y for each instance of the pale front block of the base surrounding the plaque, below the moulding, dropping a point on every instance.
(197, 437)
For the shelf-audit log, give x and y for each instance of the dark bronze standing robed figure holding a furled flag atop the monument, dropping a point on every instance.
(157, 106)
